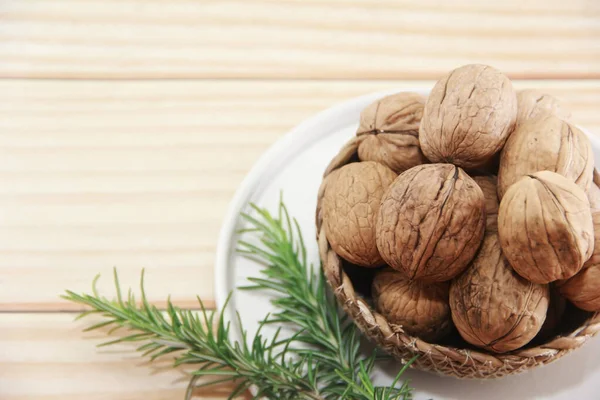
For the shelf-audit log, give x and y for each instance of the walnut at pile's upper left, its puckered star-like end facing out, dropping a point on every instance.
(389, 129)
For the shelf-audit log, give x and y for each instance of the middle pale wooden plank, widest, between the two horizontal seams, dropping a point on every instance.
(96, 175)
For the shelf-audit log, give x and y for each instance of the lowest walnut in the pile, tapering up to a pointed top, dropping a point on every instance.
(493, 307)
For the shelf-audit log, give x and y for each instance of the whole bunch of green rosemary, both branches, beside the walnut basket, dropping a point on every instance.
(320, 361)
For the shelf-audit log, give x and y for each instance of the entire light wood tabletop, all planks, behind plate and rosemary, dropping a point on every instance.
(126, 126)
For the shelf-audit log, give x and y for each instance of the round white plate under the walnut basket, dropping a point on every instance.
(294, 165)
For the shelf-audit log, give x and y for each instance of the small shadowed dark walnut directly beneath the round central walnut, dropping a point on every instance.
(421, 309)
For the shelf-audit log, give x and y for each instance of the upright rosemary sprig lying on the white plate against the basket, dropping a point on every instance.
(302, 300)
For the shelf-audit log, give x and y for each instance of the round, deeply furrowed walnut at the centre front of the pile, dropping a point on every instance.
(431, 222)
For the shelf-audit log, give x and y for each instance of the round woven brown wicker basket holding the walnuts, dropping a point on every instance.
(455, 358)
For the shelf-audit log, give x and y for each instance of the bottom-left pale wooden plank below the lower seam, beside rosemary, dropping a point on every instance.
(46, 357)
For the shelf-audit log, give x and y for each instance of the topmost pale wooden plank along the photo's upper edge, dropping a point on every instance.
(382, 39)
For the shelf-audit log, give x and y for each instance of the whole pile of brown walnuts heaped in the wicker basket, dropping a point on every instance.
(478, 206)
